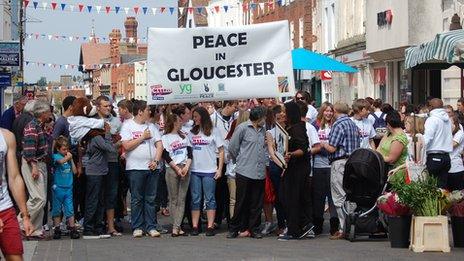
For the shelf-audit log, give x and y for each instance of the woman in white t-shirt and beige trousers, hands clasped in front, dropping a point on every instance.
(178, 155)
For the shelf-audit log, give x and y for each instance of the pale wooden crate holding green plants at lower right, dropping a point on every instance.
(429, 234)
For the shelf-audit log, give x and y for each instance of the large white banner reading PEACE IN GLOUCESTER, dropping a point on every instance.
(210, 64)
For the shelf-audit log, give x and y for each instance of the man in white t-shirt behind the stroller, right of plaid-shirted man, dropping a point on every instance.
(366, 129)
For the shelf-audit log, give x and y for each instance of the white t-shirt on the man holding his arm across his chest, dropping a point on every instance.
(140, 157)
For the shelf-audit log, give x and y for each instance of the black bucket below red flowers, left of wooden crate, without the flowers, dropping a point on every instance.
(399, 231)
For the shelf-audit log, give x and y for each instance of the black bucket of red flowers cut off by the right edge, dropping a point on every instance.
(456, 212)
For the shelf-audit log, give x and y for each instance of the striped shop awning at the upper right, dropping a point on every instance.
(447, 49)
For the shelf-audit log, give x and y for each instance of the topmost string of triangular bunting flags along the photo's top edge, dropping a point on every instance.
(145, 10)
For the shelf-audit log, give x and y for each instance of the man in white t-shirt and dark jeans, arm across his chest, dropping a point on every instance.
(142, 143)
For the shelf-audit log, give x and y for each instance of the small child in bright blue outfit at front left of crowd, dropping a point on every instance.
(63, 188)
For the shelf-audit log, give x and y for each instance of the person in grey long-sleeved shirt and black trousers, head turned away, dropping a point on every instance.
(247, 149)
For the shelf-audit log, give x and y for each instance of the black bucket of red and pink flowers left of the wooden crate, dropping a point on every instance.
(399, 219)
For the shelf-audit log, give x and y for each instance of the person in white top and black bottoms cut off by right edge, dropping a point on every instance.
(456, 172)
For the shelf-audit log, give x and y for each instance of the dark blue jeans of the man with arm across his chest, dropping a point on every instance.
(143, 186)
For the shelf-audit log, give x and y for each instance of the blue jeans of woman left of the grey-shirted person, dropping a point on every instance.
(208, 185)
